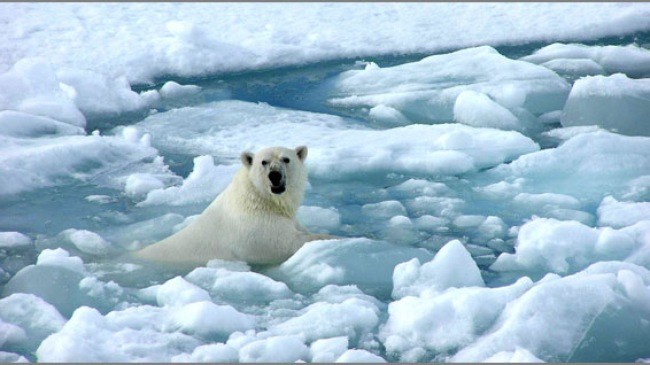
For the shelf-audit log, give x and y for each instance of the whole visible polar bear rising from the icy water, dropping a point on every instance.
(252, 220)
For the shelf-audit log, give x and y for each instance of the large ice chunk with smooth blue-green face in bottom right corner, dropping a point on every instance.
(555, 318)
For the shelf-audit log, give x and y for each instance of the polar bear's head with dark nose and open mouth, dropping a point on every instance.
(278, 172)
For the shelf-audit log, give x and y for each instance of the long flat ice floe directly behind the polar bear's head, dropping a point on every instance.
(336, 149)
